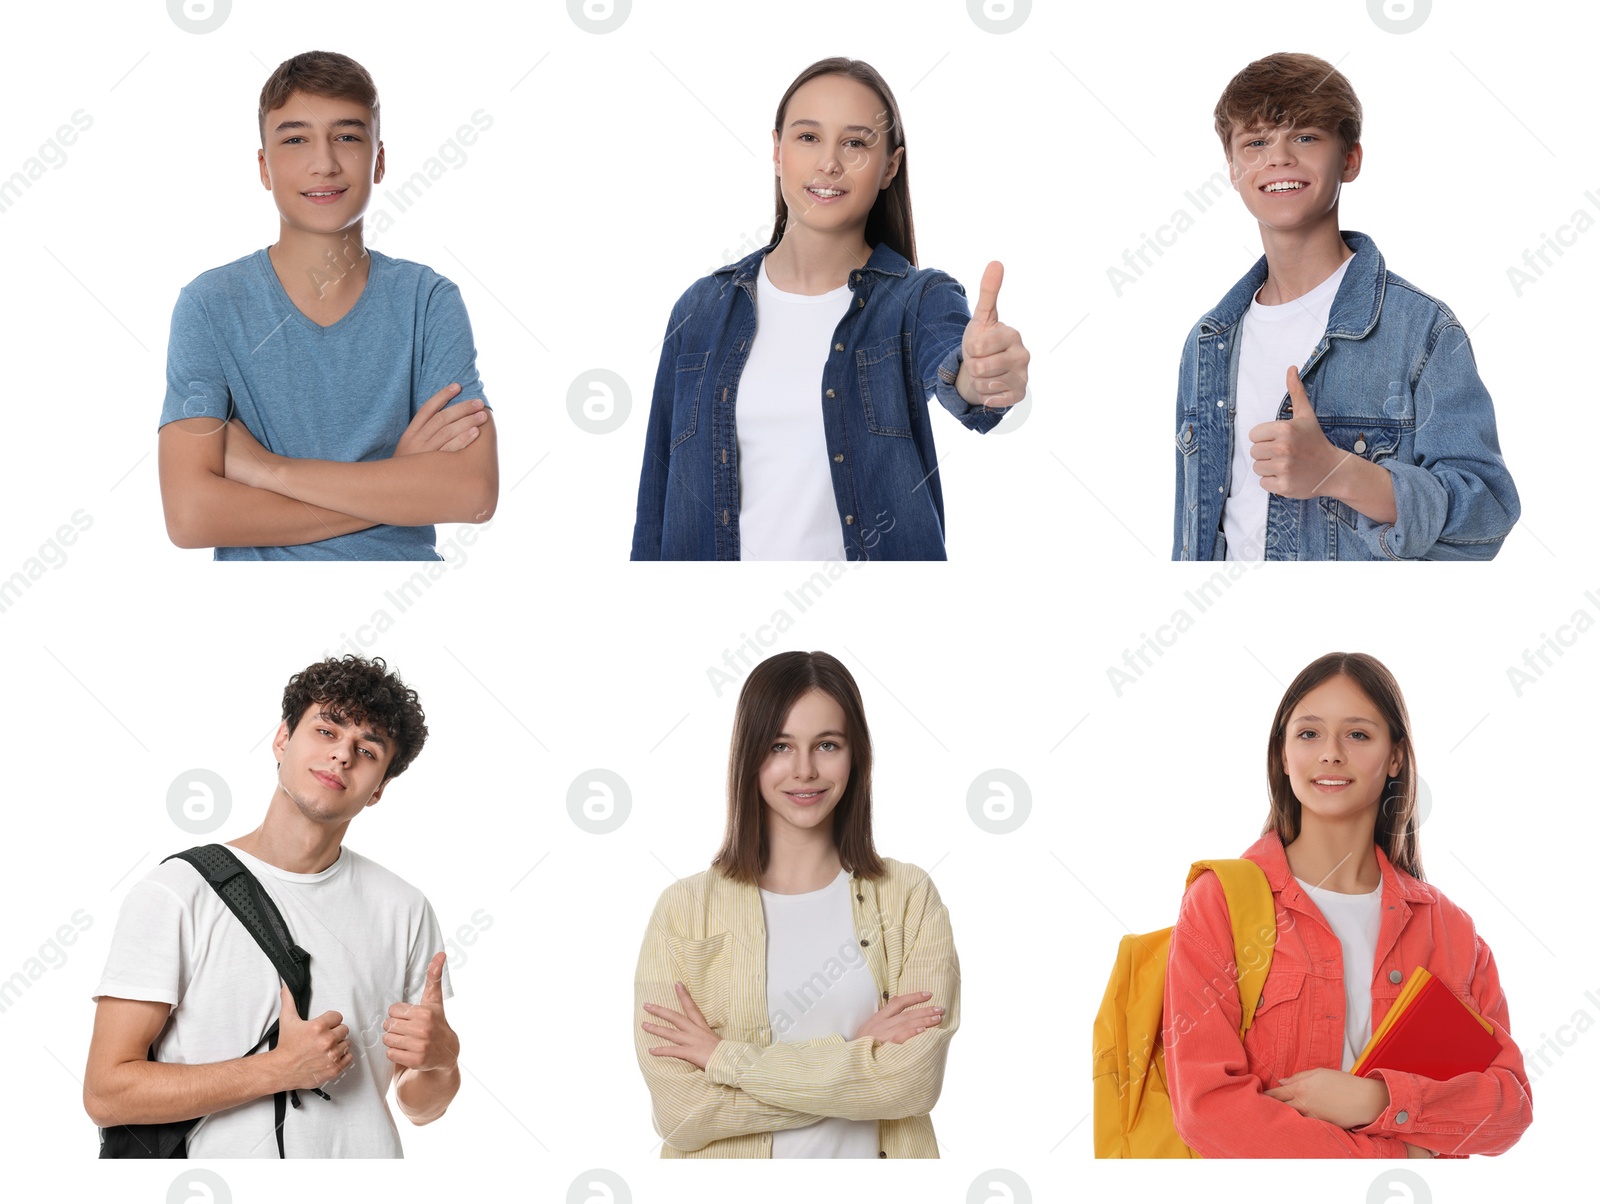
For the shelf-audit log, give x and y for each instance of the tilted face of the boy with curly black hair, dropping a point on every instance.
(332, 769)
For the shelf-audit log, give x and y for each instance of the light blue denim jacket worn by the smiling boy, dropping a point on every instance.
(1394, 382)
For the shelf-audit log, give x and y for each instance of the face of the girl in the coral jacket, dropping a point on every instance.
(1338, 752)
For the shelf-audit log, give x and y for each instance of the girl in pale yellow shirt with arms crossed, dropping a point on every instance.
(798, 998)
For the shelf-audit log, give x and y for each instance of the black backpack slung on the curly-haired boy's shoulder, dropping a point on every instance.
(262, 918)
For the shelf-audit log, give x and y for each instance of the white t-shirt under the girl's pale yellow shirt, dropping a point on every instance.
(818, 985)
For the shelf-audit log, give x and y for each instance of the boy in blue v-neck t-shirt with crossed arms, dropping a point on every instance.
(322, 399)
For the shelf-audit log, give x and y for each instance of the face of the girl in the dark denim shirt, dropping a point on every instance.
(833, 155)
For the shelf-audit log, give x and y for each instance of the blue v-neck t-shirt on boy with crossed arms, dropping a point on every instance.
(242, 350)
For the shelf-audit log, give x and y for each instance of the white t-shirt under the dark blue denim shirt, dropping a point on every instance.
(786, 483)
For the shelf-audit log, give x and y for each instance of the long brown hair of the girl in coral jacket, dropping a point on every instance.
(1394, 832)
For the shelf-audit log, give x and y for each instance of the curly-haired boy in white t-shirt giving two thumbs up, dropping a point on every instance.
(186, 987)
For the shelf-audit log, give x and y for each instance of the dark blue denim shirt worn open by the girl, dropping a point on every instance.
(898, 343)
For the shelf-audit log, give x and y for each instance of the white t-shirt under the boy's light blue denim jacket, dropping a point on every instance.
(1274, 340)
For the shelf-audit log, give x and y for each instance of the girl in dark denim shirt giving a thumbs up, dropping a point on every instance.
(836, 340)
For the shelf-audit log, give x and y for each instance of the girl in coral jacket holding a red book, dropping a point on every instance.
(1354, 920)
